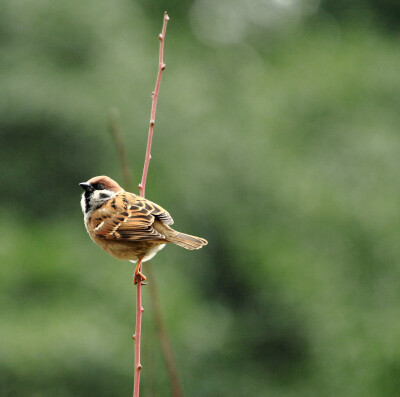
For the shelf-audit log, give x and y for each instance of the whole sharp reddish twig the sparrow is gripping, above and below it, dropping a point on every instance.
(142, 187)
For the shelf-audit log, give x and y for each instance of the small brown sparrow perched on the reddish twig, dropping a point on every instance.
(128, 226)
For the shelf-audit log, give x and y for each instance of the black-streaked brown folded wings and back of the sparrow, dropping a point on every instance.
(129, 217)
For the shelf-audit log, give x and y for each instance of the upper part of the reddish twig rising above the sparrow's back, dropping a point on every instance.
(161, 67)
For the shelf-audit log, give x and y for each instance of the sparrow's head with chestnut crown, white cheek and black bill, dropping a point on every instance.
(98, 190)
